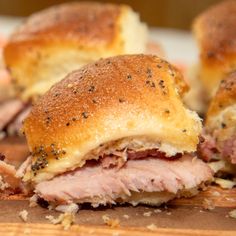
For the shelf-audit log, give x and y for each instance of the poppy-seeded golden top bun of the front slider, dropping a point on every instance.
(132, 96)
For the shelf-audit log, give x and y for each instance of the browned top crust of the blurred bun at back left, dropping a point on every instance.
(88, 22)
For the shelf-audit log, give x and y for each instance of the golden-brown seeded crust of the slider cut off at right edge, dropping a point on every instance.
(225, 97)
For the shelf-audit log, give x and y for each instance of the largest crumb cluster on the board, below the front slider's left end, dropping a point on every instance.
(65, 219)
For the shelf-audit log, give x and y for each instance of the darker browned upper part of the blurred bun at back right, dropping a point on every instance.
(215, 30)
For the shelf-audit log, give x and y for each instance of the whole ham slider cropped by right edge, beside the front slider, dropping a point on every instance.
(220, 126)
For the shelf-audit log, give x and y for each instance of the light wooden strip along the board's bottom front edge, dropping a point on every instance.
(49, 230)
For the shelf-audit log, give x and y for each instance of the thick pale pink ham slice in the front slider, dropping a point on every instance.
(149, 174)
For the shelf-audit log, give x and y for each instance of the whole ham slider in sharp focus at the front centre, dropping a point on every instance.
(115, 131)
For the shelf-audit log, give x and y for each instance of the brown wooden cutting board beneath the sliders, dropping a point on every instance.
(180, 217)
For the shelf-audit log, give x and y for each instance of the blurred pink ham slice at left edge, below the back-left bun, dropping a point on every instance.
(8, 111)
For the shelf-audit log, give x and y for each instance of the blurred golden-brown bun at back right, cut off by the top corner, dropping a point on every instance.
(216, 36)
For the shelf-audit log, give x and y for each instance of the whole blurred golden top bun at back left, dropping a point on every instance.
(55, 41)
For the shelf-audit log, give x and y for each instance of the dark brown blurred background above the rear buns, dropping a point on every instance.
(162, 13)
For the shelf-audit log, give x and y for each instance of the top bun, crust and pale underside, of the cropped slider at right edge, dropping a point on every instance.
(222, 104)
